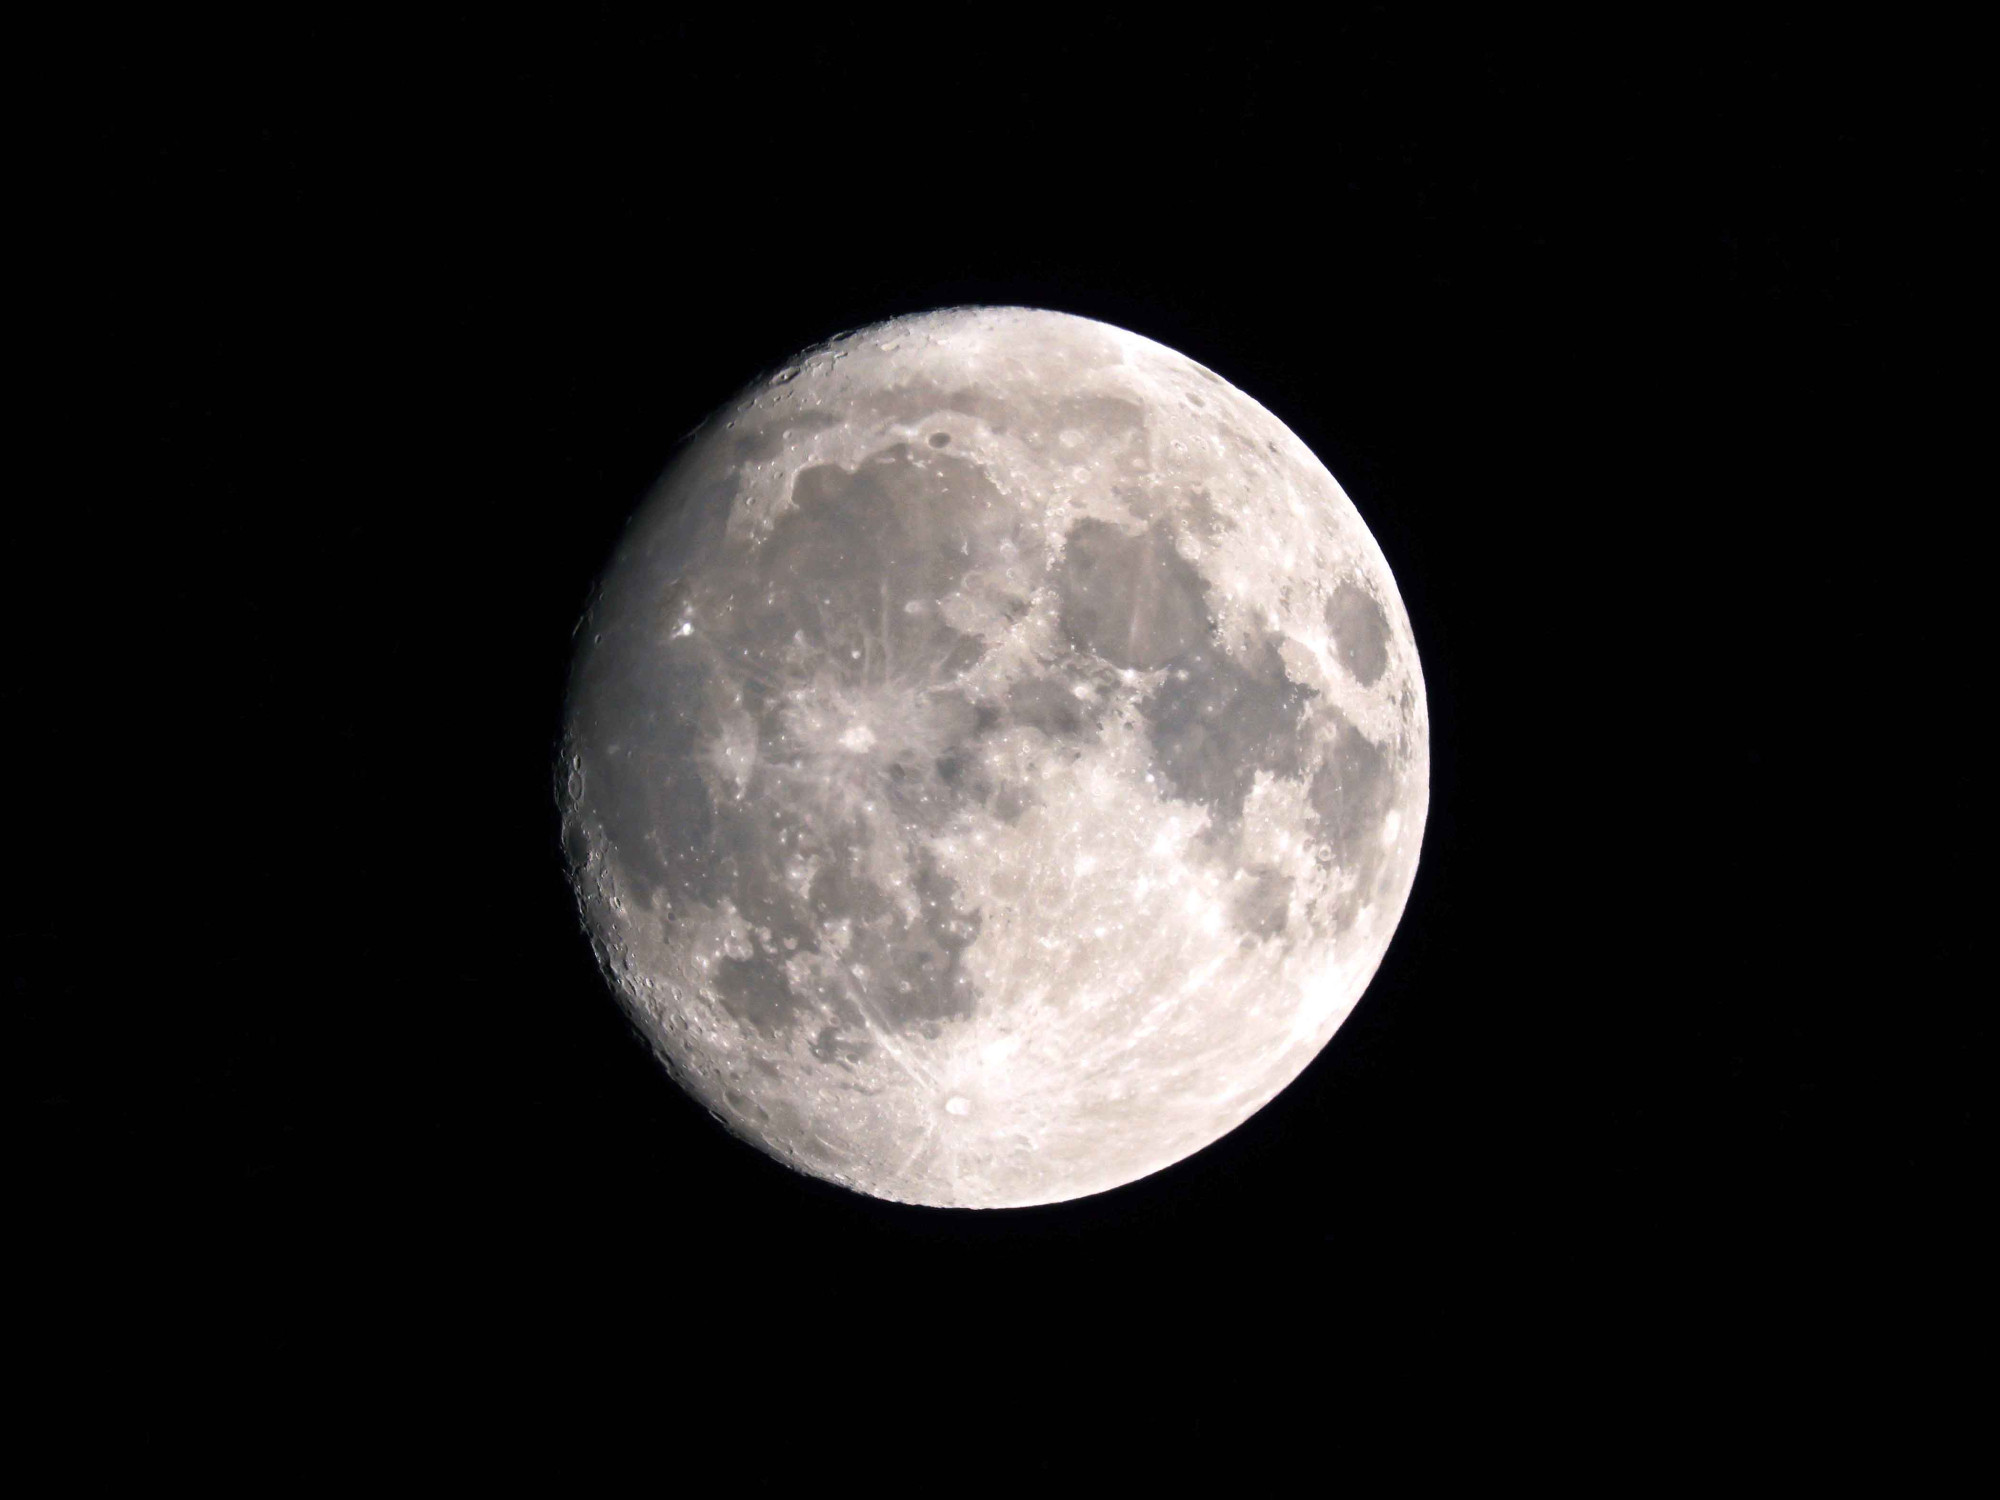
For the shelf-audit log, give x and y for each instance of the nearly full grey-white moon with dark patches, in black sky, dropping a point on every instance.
(995, 759)
